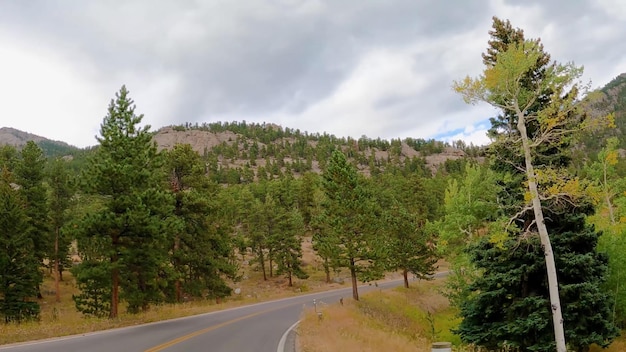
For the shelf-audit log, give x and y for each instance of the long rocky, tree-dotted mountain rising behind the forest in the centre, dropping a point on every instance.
(236, 148)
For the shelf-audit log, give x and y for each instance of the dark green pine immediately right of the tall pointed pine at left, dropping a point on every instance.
(200, 247)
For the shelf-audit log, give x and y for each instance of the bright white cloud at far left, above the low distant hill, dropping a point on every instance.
(46, 96)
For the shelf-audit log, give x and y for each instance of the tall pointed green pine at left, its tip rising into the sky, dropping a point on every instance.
(130, 231)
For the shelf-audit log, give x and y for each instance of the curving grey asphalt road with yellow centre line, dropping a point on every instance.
(254, 328)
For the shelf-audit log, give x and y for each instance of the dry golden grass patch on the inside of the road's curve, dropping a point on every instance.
(398, 320)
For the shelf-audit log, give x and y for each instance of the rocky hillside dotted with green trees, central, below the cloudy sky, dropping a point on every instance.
(236, 150)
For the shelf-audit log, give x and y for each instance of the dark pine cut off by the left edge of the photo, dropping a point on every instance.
(19, 266)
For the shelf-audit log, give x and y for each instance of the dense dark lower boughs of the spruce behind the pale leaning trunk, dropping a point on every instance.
(509, 305)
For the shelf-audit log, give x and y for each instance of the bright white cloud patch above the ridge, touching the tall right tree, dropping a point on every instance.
(415, 79)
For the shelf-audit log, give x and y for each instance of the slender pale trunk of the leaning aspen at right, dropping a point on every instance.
(553, 284)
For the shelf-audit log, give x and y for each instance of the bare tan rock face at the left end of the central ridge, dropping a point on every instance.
(167, 138)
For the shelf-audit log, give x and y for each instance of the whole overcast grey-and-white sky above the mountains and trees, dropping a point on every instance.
(380, 68)
